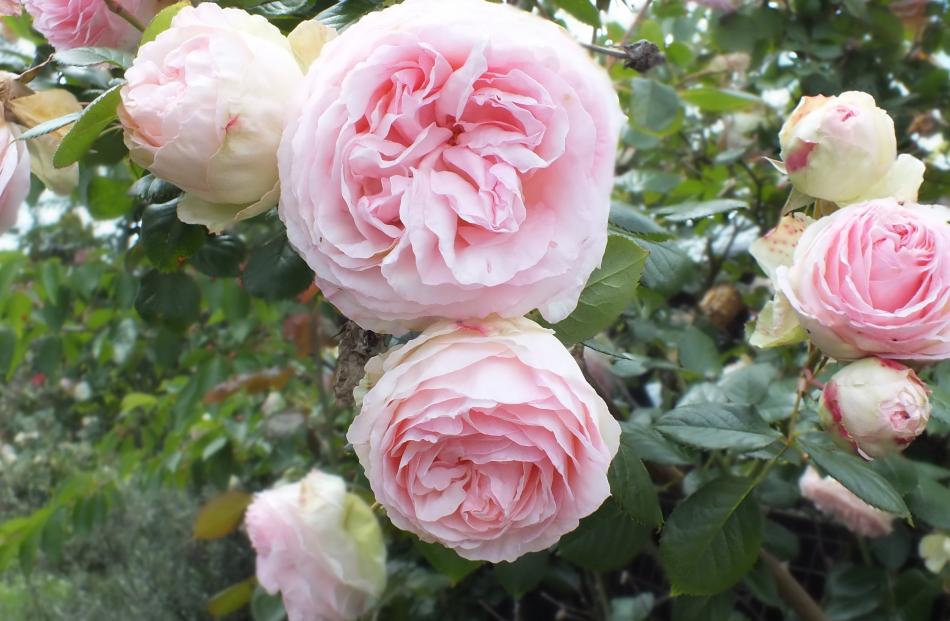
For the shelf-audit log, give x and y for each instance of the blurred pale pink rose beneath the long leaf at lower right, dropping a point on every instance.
(837, 501)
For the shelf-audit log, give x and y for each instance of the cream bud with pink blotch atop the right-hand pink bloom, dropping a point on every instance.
(843, 149)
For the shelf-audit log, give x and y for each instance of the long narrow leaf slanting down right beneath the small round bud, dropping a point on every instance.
(854, 474)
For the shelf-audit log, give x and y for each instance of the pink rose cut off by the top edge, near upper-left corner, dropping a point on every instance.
(89, 23)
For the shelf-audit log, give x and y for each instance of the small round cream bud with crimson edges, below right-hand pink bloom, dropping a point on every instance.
(875, 406)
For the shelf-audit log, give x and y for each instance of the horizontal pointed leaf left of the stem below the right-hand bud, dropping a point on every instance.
(717, 426)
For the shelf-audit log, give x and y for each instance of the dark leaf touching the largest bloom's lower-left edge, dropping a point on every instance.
(274, 271)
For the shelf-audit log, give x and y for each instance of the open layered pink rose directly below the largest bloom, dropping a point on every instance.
(485, 437)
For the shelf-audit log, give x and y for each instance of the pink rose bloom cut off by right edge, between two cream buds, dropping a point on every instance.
(873, 279)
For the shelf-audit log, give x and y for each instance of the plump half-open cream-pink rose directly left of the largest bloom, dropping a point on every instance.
(204, 106)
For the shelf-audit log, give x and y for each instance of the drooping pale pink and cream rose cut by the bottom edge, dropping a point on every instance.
(320, 546)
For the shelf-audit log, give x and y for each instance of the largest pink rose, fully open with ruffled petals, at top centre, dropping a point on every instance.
(450, 159)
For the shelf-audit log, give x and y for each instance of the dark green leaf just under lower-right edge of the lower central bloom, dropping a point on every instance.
(605, 540)
